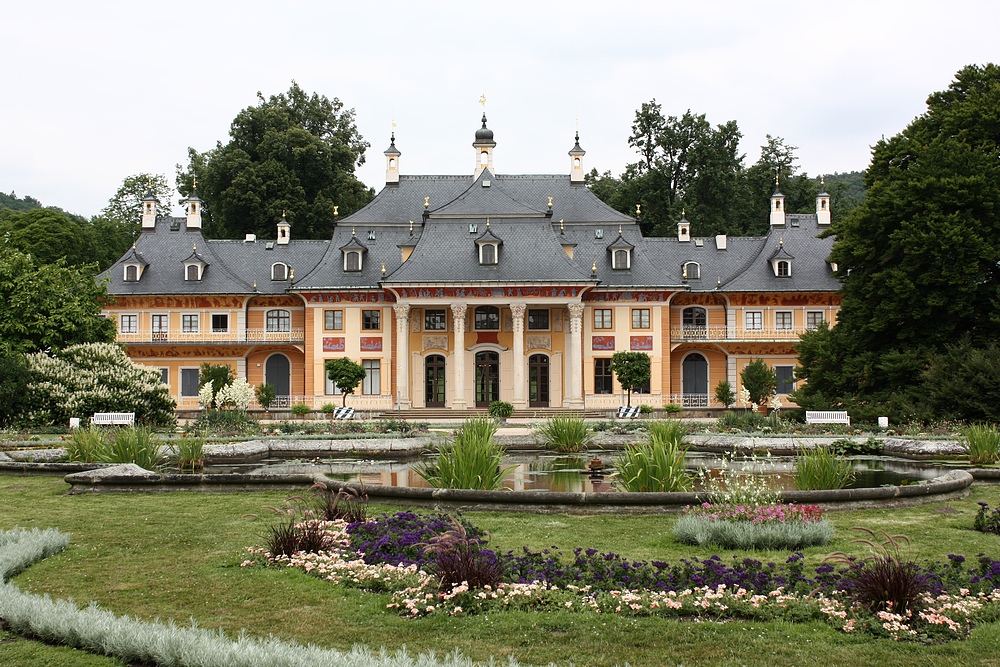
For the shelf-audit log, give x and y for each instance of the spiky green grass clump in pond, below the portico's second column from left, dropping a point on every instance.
(471, 461)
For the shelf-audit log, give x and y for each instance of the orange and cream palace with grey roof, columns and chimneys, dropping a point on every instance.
(454, 291)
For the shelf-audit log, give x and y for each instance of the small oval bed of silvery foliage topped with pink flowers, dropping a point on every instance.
(770, 527)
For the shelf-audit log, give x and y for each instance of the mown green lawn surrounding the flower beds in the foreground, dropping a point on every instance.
(177, 556)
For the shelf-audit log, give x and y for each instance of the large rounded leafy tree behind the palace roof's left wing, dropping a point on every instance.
(292, 154)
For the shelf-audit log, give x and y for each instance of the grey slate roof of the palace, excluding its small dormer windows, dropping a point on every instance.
(533, 249)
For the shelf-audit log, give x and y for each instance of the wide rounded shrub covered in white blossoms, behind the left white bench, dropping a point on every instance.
(94, 377)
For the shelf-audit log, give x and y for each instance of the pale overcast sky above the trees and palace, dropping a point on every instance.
(95, 91)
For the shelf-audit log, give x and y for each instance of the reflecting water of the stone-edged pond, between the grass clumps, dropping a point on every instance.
(586, 472)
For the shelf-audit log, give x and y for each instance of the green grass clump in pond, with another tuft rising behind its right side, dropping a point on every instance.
(656, 465)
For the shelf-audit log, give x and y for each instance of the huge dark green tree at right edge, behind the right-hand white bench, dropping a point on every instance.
(920, 258)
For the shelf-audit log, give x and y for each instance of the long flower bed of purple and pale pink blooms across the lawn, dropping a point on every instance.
(406, 558)
